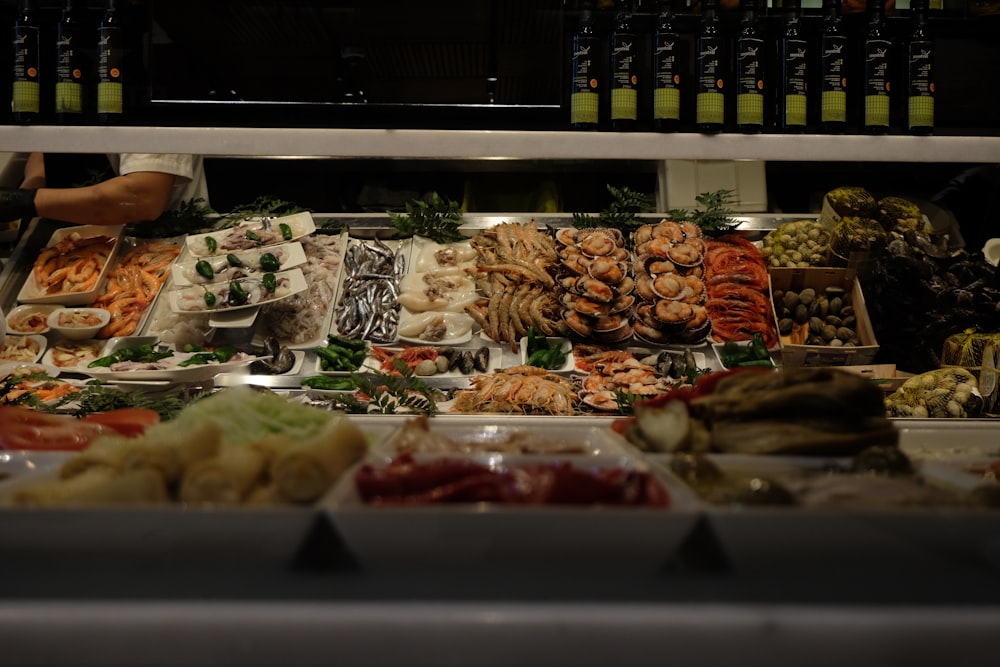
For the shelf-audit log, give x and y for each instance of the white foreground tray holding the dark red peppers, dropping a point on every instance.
(489, 536)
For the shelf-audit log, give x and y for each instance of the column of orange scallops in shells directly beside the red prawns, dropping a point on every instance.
(669, 282)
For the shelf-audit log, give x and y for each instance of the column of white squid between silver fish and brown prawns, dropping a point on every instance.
(435, 294)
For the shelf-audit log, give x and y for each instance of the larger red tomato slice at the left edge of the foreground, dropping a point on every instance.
(23, 428)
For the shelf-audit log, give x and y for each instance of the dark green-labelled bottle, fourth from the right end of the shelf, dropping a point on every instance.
(793, 56)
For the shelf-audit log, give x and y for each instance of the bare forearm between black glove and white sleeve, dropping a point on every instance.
(120, 200)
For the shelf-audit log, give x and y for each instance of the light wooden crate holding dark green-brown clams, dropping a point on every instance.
(784, 279)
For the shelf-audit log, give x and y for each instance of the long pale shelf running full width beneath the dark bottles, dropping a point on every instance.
(491, 144)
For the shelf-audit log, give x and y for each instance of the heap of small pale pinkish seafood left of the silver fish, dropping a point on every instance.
(303, 319)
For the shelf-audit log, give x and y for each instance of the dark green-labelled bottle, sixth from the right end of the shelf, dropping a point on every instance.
(710, 108)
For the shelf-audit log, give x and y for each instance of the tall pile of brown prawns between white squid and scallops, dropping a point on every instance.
(515, 273)
